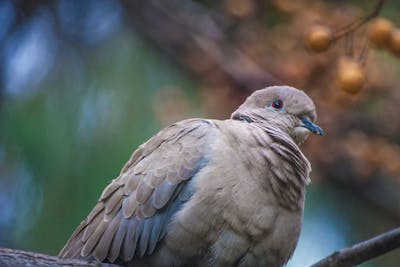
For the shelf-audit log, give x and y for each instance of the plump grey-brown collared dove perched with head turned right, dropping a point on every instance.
(209, 192)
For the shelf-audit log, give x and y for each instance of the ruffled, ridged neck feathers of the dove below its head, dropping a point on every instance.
(285, 168)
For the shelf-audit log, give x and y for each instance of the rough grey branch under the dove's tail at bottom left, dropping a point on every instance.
(12, 258)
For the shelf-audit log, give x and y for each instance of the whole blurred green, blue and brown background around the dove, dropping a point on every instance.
(83, 83)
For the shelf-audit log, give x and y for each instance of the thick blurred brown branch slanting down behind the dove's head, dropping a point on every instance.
(171, 28)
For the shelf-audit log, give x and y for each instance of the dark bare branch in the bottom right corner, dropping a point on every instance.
(363, 251)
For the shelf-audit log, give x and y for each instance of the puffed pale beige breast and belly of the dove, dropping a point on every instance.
(235, 210)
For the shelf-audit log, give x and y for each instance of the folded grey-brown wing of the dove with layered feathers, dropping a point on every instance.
(134, 210)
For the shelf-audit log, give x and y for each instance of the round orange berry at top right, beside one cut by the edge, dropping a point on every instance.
(379, 32)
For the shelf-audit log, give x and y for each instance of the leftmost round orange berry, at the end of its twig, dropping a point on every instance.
(319, 38)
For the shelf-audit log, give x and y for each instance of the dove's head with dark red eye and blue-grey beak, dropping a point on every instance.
(282, 107)
